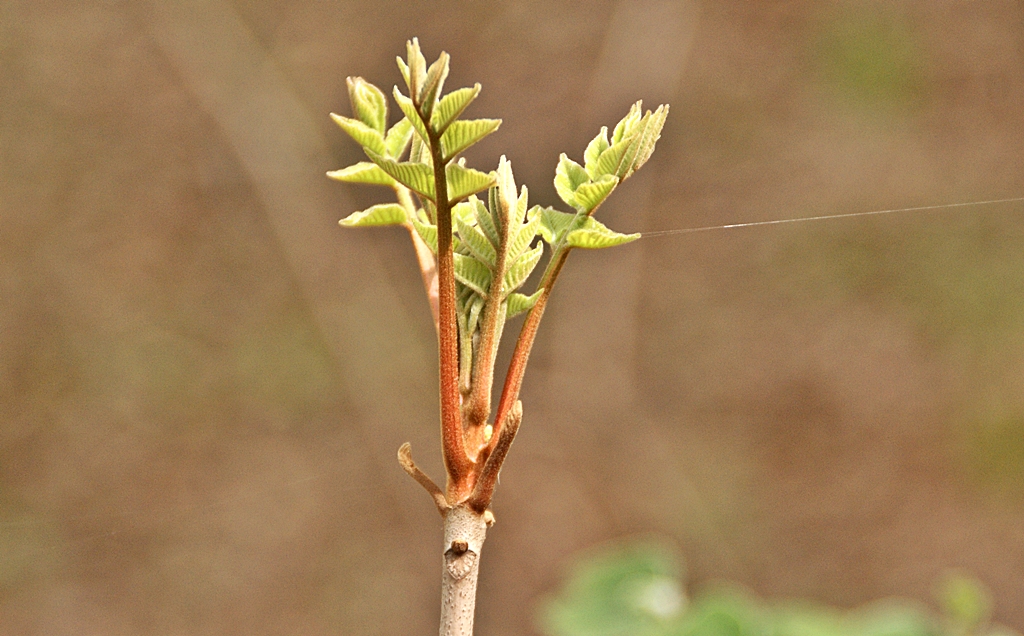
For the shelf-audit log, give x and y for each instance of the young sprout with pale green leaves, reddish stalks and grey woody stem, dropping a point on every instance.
(475, 235)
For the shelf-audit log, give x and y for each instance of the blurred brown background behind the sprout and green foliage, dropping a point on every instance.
(204, 380)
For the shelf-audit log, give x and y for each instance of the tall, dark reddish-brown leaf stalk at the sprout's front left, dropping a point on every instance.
(454, 448)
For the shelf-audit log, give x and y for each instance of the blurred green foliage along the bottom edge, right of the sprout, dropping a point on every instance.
(637, 589)
